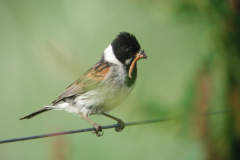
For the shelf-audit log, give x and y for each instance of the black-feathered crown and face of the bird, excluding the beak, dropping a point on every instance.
(125, 47)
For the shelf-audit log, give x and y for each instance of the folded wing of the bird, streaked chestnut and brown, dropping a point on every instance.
(88, 81)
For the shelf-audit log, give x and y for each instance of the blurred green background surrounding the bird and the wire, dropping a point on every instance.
(193, 68)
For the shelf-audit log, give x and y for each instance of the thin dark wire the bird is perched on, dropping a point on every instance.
(92, 129)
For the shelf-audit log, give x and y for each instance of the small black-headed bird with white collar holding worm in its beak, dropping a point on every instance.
(104, 86)
